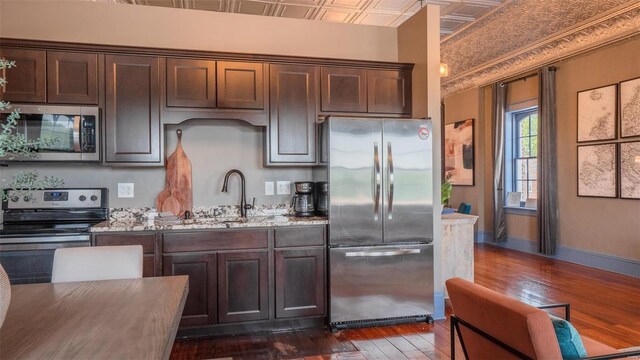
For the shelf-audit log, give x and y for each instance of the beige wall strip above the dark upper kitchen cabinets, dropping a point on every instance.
(151, 26)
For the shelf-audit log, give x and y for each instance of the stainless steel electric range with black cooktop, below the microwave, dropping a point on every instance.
(36, 223)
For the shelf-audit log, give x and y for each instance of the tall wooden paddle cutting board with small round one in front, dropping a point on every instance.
(177, 196)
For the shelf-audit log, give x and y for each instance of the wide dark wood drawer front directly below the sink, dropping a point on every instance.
(214, 240)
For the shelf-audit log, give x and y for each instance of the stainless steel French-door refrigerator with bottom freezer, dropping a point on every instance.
(380, 220)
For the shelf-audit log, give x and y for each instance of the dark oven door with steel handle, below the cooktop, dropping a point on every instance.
(29, 260)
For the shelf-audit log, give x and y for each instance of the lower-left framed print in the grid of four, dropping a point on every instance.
(597, 170)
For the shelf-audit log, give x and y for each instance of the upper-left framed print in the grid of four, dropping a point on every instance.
(597, 114)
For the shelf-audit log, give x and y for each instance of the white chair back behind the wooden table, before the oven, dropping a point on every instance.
(97, 263)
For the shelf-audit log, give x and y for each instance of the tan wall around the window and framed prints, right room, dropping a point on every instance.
(606, 226)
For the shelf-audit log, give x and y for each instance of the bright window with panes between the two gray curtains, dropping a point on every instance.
(521, 155)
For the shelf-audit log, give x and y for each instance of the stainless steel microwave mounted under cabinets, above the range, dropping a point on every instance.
(64, 133)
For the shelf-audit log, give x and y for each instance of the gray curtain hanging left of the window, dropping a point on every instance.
(499, 109)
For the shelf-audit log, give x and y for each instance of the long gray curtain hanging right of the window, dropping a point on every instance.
(547, 163)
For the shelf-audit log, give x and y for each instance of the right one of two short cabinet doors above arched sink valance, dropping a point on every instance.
(240, 85)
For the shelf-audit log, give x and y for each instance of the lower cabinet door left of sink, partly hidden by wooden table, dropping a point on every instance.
(200, 308)
